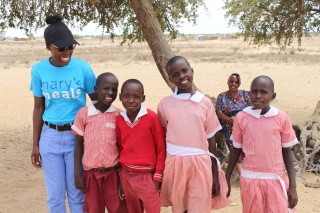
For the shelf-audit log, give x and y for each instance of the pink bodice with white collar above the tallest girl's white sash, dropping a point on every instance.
(189, 121)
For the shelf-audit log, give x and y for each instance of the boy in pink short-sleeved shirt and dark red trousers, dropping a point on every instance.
(96, 145)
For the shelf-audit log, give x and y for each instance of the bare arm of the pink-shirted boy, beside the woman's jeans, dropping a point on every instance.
(78, 152)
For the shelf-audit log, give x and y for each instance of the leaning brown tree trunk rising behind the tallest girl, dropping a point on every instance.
(153, 34)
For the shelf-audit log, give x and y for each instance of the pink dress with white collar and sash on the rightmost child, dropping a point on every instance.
(263, 184)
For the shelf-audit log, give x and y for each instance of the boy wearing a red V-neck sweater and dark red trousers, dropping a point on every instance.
(141, 142)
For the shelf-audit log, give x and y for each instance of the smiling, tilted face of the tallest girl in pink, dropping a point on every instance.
(181, 75)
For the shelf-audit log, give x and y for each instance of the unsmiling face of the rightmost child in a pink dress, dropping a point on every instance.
(261, 93)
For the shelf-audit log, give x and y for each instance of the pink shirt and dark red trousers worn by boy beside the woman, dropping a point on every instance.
(100, 158)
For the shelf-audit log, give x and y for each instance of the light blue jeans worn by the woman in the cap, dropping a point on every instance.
(57, 158)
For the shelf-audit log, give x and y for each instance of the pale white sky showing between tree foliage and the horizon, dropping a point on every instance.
(210, 22)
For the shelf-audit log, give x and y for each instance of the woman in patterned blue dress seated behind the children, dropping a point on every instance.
(228, 104)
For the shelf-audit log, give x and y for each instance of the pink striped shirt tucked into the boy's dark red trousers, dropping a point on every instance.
(99, 134)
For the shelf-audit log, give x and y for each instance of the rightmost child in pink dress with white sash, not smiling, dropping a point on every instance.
(265, 135)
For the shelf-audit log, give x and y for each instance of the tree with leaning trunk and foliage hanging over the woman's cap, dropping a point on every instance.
(138, 20)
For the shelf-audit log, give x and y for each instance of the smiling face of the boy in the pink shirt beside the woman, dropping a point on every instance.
(107, 90)
